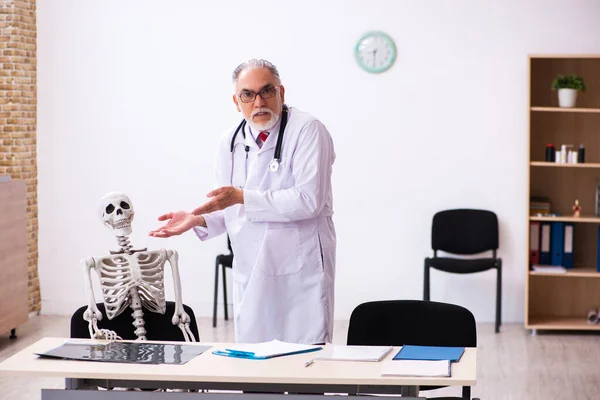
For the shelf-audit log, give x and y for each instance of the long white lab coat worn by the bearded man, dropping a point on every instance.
(283, 237)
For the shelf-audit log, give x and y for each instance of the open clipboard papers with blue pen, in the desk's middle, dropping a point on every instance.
(265, 350)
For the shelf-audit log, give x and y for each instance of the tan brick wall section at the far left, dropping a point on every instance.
(18, 102)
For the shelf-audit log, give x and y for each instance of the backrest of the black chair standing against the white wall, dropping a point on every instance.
(464, 231)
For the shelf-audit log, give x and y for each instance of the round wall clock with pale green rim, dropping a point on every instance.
(375, 52)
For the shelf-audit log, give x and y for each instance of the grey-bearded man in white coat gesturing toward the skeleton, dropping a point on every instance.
(279, 217)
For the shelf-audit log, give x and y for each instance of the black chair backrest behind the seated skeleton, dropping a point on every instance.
(158, 326)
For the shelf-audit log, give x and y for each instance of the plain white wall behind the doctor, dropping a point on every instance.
(134, 95)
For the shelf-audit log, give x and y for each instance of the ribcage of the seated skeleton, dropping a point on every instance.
(143, 271)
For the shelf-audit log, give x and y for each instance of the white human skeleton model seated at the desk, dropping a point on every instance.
(130, 277)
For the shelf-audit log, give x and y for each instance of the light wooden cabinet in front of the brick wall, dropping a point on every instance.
(14, 308)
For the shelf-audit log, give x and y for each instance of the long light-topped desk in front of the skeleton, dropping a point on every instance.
(212, 372)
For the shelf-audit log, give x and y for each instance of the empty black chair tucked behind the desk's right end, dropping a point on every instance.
(413, 322)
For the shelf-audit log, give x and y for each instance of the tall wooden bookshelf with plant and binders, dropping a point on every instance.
(561, 301)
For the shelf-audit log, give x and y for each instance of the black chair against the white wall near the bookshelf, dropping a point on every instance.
(465, 232)
